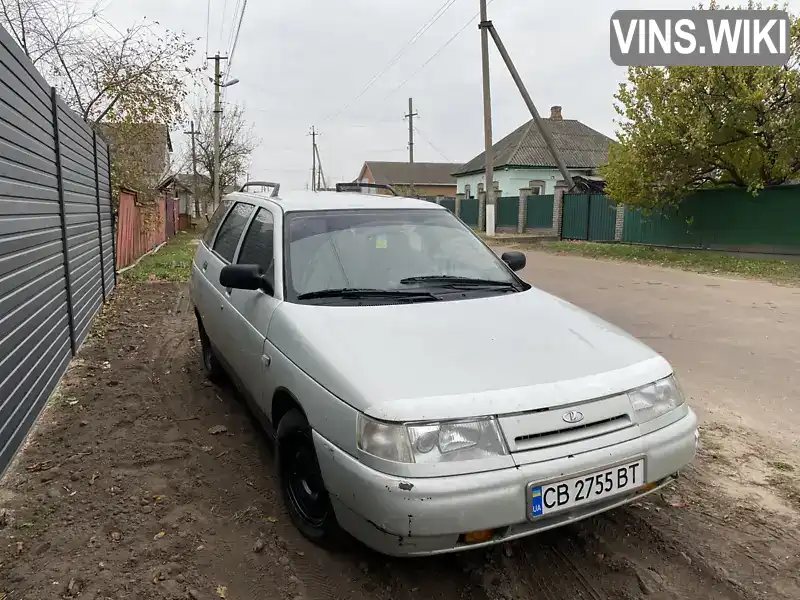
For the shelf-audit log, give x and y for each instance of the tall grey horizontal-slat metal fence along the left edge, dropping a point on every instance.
(56, 240)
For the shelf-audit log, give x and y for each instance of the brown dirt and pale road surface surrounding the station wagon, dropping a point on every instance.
(125, 492)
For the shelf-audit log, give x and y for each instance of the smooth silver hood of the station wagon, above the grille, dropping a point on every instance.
(457, 359)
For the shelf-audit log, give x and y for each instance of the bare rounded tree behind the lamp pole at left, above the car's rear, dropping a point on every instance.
(237, 143)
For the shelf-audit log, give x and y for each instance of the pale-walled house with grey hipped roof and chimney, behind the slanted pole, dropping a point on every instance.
(522, 159)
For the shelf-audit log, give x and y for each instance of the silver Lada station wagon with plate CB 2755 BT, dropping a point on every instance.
(422, 397)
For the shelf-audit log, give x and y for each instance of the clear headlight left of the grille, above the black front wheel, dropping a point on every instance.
(431, 442)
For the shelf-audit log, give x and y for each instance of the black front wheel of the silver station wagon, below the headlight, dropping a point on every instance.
(302, 487)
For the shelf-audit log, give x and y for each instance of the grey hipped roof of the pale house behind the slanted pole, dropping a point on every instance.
(580, 146)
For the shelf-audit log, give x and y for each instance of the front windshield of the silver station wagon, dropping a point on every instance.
(379, 249)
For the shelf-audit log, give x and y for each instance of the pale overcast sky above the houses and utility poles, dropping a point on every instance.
(304, 62)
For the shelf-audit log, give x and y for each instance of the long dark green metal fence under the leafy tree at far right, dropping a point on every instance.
(727, 218)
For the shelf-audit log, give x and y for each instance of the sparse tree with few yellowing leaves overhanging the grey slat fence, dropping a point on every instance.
(129, 84)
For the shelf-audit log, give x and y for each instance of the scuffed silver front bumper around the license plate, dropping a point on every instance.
(406, 517)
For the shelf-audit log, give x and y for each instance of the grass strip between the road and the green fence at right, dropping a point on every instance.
(779, 271)
